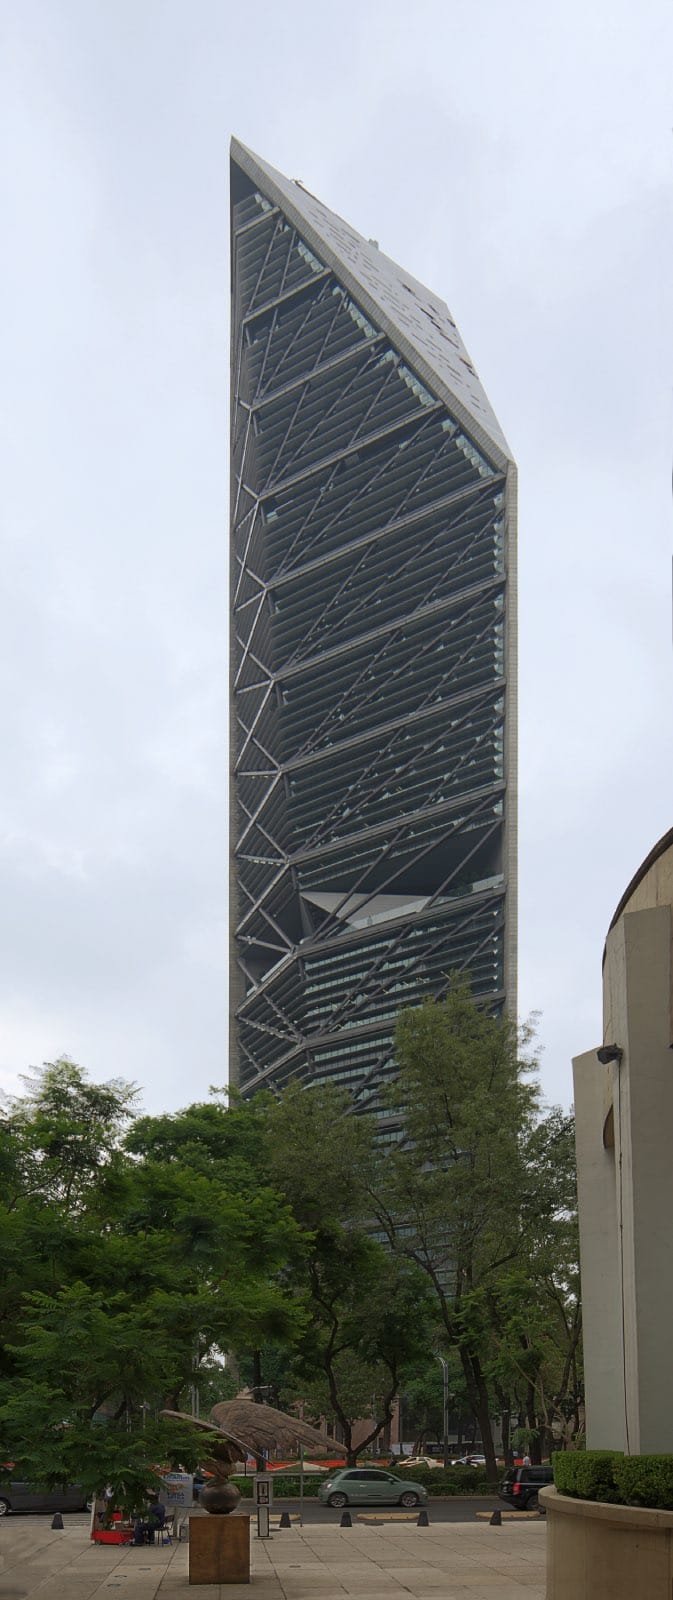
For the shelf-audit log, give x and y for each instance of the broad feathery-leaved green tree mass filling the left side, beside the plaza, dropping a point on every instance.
(130, 1260)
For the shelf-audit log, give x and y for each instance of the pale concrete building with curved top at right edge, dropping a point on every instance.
(624, 1110)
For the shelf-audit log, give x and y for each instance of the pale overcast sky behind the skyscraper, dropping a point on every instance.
(517, 158)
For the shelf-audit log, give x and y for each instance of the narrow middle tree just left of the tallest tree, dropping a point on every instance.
(367, 1310)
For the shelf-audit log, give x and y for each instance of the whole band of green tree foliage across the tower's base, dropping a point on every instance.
(332, 1266)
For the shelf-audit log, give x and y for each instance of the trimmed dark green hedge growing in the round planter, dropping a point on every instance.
(615, 1479)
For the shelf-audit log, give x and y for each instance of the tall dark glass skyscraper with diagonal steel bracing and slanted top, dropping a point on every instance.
(370, 650)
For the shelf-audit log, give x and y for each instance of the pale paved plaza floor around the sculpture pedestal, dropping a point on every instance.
(445, 1562)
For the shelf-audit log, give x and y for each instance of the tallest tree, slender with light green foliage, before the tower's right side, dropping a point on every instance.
(450, 1196)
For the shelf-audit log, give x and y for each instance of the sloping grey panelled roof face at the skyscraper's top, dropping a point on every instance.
(416, 321)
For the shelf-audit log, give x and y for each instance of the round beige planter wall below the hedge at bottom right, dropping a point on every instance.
(607, 1553)
